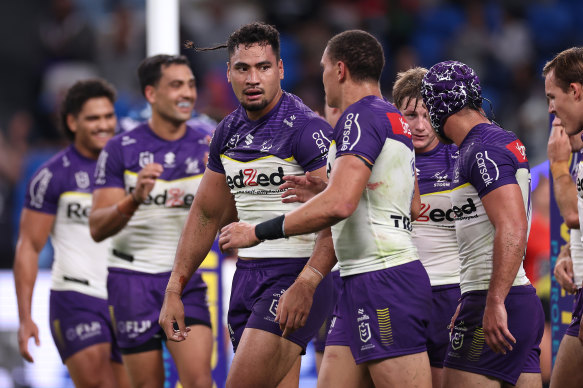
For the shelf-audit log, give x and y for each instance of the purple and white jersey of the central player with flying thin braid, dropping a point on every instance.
(255, 156)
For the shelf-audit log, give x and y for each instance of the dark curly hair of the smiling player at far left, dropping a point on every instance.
(79, 94)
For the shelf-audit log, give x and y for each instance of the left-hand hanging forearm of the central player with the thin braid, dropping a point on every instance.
(195, 242)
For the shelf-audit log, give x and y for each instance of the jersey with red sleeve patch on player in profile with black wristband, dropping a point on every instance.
(378, 234)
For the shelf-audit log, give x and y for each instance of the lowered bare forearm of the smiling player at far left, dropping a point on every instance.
(25, 272)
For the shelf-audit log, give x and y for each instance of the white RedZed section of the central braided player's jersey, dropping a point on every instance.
(255, 186)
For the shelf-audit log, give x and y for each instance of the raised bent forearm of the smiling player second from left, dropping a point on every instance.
(108, 221)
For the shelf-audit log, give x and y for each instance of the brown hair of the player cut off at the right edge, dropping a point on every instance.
(568, 67)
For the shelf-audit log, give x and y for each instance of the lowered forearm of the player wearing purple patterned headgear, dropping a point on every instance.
(509, 248)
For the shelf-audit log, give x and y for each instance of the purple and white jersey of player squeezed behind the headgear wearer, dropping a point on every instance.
(434, 230)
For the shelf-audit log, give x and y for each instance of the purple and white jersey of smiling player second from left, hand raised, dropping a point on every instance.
(149, 240)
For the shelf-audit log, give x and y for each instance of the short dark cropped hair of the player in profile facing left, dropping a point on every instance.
(361, 53)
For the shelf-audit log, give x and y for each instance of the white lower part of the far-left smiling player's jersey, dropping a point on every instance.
(71, 241)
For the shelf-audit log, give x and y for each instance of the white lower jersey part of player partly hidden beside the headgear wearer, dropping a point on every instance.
(434, 236)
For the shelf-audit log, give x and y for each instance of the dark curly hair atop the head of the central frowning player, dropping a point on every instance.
(252, 33)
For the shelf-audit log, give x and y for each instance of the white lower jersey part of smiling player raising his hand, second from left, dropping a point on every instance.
(161, 218)
